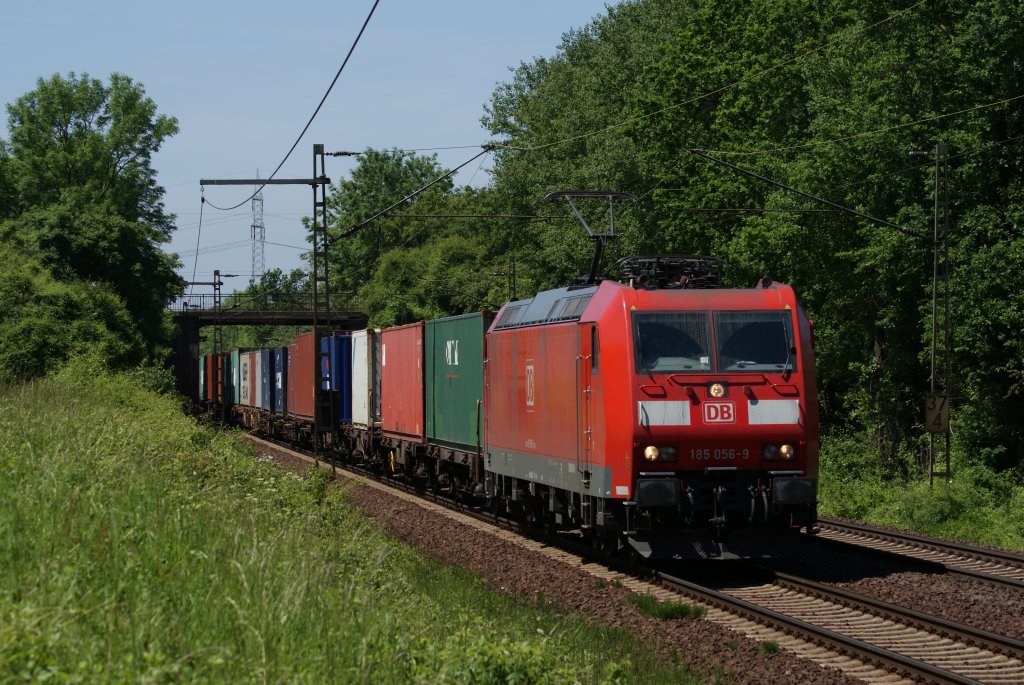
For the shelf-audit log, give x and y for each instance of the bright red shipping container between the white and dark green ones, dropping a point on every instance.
(402, 382)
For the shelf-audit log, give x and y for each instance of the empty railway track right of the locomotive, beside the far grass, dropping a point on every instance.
(997, 567)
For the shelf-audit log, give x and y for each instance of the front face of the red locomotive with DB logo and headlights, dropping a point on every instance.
(726, 429)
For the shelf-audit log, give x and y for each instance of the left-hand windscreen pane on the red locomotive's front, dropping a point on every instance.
(672, 341)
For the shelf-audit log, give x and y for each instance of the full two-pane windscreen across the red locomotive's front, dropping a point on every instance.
(744, 341)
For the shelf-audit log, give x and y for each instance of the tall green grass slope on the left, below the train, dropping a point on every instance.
(137, 547)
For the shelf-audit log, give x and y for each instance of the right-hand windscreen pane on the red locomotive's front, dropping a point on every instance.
(755, 341)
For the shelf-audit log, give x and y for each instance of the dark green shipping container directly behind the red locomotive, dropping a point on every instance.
(454, 354)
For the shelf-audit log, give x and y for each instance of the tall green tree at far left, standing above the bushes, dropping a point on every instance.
(86, 196)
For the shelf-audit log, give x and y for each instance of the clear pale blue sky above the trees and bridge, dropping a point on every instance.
(243, 78)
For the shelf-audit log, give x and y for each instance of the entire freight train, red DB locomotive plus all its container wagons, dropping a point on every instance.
(657, 413)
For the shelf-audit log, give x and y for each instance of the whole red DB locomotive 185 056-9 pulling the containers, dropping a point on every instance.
(654, 412)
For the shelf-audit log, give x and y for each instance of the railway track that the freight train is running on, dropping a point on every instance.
(874, 641)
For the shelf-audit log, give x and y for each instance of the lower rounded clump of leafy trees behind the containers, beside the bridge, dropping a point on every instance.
(407, 267)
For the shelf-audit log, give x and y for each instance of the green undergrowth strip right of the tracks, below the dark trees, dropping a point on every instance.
(978, 506)
